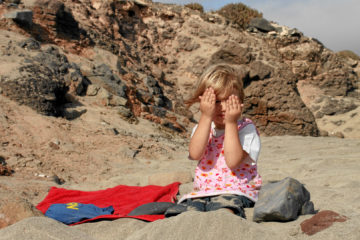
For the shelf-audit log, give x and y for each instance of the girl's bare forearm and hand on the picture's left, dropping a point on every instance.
(200, 138)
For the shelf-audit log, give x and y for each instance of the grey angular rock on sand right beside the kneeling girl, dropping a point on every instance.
(282, 201)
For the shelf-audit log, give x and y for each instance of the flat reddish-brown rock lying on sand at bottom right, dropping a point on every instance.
(321, 221)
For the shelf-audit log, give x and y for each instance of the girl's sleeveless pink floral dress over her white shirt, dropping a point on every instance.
(214, 177)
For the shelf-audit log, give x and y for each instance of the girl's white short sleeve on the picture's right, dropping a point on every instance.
(250, 141)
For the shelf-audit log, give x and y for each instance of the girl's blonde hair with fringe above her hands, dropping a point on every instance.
(223, 78)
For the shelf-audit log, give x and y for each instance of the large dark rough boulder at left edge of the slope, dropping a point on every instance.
(40, 83)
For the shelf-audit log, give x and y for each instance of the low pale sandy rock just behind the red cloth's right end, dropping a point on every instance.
(164, 179)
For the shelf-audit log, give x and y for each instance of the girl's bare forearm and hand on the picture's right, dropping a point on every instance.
(234, 153)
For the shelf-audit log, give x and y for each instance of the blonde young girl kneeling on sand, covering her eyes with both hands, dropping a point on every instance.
(226, 145)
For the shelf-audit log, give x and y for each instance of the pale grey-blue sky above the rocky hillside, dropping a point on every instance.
(335, 23)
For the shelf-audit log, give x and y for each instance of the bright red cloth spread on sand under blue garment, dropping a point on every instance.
(123, 198)
